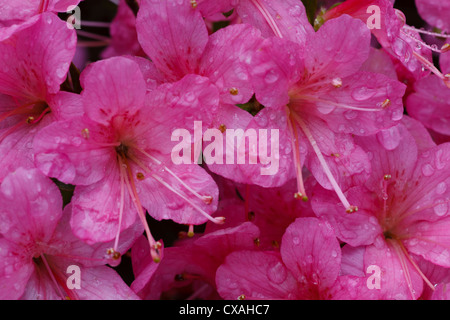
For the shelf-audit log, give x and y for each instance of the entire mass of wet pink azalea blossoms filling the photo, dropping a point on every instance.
(358, 207)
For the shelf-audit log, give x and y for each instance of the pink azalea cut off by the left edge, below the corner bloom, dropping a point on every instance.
(35, 57)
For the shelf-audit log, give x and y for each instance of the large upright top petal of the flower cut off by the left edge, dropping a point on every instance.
(38, 67)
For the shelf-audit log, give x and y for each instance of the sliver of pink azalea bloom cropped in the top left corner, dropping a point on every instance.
(15, 11)
